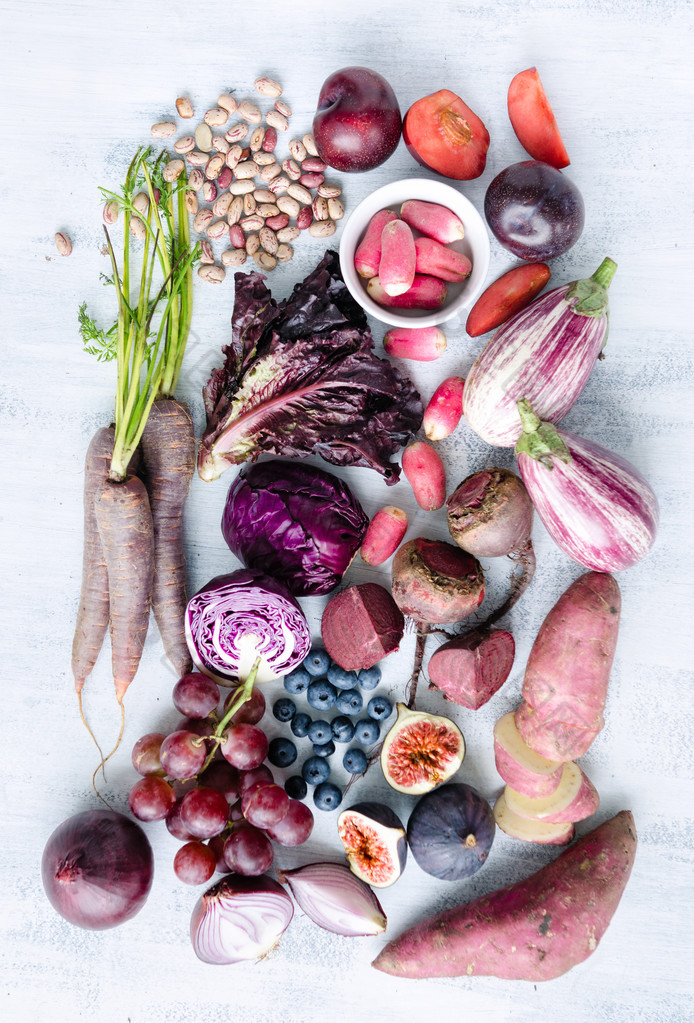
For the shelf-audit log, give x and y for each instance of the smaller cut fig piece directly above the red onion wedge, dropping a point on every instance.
(375, 842)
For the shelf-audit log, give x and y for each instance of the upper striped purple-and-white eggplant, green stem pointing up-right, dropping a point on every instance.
(544, 354)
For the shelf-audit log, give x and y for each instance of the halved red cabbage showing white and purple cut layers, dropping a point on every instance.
(239, 617)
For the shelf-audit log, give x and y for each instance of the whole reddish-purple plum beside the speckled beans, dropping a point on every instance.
(358, 124)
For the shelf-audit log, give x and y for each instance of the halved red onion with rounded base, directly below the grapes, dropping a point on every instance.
(240, 919)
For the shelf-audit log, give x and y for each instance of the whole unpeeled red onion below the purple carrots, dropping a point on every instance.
(98, 869)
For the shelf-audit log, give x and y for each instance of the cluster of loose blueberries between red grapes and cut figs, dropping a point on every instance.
(326, 687)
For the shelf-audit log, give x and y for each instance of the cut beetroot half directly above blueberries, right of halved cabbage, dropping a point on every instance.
(361, 626)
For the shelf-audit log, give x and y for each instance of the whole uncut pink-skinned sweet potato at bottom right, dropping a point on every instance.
(535, 930)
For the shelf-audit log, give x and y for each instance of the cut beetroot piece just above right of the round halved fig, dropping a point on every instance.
(471, 669)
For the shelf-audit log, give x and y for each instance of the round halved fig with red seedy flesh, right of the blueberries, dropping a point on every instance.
(421, 751)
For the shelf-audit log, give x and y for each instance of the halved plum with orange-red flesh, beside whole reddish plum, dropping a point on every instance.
(444, 135)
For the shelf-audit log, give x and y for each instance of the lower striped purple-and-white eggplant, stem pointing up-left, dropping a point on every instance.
(594, 505)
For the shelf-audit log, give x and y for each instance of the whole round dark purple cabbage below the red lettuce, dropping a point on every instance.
(299, 524)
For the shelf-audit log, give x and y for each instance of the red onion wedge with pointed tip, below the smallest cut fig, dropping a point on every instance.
(336, 900)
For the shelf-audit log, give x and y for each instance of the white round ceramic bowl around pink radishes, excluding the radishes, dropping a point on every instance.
(475, 246)
